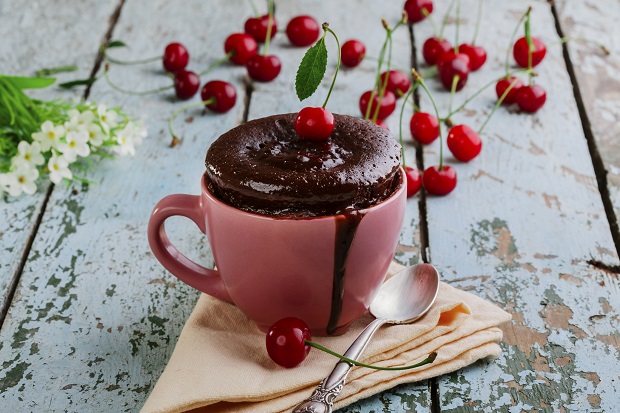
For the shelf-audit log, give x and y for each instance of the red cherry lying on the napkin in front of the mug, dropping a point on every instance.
(286, 342)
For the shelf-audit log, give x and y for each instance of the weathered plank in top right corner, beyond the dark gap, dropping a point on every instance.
(597, 74)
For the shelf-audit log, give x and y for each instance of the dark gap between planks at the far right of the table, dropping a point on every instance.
(597, 161)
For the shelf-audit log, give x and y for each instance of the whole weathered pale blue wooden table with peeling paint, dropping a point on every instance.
(89, 318)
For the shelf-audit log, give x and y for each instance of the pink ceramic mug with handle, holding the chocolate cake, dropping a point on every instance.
(324, 270)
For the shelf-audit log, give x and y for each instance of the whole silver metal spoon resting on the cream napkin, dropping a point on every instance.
(402, 299)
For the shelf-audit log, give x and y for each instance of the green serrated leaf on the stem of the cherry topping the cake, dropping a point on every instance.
(311, 70)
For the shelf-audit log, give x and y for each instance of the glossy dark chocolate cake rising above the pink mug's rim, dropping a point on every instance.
(263, 166)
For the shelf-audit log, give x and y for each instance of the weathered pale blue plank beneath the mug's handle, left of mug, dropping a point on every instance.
(95, 317)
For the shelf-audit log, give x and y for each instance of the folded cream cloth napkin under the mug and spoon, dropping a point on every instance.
(220, 364)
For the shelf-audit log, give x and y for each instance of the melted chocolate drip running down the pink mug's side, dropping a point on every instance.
(346, 227)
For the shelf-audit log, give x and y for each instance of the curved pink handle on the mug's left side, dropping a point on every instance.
(190, 206)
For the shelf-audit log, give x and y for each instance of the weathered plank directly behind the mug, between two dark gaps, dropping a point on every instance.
(279, 97)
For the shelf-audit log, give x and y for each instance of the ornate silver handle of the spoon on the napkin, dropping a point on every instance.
(323, 396)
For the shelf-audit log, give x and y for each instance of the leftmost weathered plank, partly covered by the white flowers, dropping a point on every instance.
(32, 44)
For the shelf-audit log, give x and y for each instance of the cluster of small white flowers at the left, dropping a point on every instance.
(58, 149)
